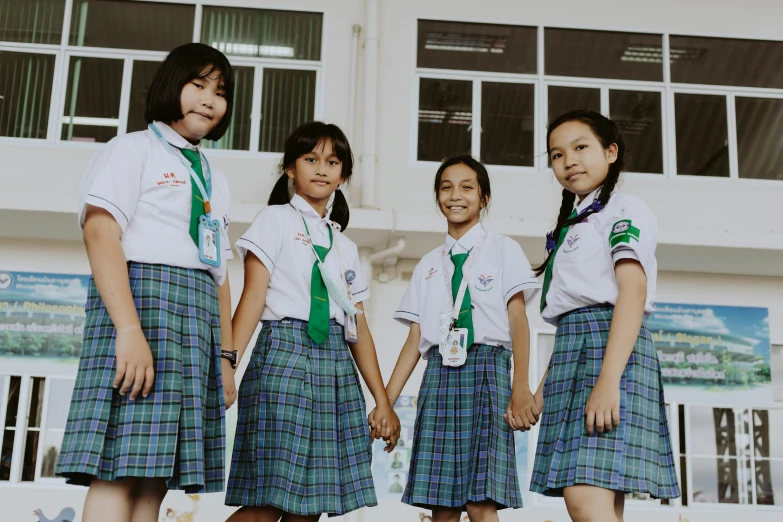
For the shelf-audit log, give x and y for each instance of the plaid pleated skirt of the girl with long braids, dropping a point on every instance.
(636, 456)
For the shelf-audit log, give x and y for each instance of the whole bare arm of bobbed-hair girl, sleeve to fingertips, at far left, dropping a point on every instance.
(135, 367)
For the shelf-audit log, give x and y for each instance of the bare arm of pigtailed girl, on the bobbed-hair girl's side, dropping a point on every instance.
(251, 304)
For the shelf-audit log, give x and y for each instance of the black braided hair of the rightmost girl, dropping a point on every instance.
(607, 134)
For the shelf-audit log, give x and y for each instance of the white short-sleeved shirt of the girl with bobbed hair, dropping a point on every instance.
(147, 189)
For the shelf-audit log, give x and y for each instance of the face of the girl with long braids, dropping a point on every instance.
(579, 160)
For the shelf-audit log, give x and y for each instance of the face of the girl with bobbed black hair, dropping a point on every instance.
(203, 104)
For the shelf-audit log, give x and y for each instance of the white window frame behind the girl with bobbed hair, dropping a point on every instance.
(63, 53)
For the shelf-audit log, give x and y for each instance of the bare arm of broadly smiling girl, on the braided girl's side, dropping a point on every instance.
(522, 411)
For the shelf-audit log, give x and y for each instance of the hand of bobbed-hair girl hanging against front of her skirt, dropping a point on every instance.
(135, 367)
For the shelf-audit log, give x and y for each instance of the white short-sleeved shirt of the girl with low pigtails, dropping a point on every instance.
(277, 238)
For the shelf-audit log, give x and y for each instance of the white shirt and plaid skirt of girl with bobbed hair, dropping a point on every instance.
(177, 432)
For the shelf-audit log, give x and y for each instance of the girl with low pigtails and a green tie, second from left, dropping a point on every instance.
(303, 446)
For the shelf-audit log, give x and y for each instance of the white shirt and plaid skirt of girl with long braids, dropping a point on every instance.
(582, 292)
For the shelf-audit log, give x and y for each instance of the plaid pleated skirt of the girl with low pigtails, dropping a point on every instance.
(302, 441)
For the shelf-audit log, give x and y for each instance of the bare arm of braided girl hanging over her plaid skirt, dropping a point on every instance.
(602, 410)
